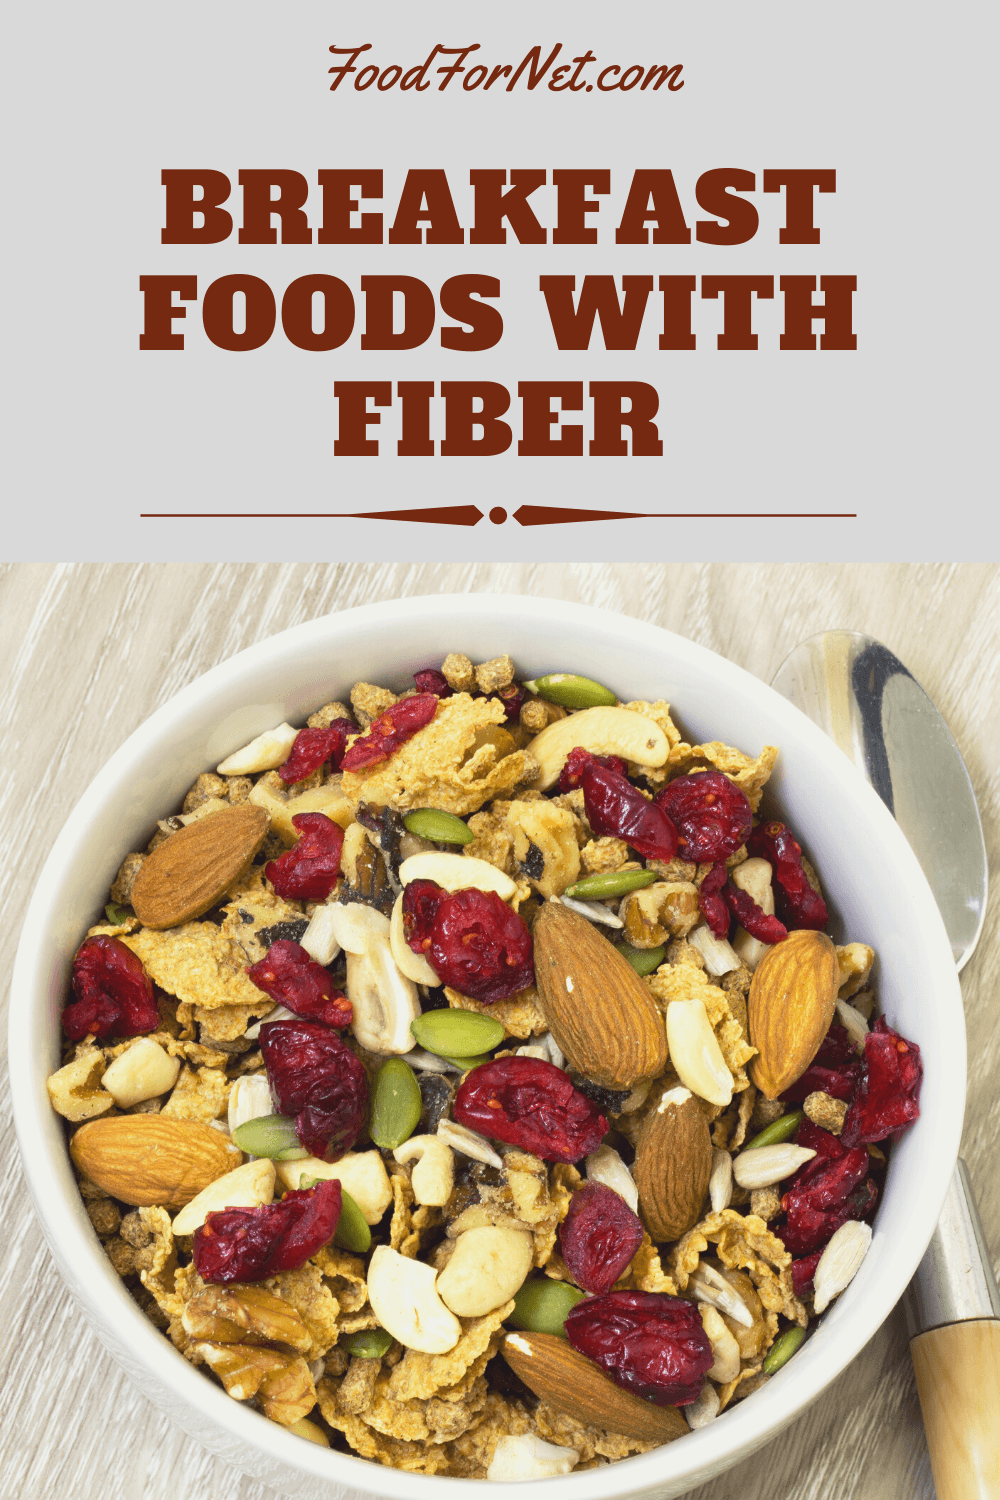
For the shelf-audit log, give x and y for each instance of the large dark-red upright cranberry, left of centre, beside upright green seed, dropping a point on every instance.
(317, 1079)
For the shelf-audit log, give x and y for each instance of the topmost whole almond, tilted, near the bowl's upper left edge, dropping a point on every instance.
(197, 865)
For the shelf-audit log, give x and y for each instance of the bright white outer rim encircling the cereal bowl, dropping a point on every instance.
(82, 1261)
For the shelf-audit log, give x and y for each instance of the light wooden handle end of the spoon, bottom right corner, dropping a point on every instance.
(959, 1382)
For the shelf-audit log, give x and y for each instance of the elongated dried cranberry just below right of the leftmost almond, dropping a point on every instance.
(256, 1244)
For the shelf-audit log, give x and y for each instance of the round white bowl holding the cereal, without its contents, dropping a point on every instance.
(872, 878)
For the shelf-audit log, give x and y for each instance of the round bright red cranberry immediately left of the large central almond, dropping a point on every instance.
(481, 947)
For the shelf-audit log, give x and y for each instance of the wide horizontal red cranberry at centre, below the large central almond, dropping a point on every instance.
(531, 1105)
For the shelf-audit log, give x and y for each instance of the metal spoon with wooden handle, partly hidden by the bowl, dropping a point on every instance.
(866, 700)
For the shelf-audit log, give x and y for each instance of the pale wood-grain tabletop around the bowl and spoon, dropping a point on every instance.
(89, 652)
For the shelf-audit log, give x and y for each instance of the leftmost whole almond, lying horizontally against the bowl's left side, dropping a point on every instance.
(148, 1160)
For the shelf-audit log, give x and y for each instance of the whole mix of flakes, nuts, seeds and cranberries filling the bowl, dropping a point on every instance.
(467, 1078)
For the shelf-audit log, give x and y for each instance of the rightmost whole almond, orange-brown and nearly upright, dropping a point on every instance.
(791, 1007)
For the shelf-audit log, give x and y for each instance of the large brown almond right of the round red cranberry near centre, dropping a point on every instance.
(599, 1010)
